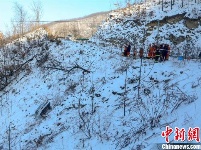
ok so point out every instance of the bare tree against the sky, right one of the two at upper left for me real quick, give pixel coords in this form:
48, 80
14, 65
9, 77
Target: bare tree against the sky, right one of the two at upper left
37, 9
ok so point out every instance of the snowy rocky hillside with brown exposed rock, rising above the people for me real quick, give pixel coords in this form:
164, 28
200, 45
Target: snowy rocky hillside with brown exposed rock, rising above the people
145, 23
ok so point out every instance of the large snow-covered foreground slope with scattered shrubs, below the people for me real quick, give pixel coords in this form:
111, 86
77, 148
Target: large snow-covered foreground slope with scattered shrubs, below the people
99, 99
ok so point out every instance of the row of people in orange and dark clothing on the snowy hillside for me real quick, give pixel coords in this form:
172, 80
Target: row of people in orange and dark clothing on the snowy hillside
158, 53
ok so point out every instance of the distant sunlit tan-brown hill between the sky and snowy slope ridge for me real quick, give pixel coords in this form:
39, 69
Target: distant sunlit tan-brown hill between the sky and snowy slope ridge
78, 28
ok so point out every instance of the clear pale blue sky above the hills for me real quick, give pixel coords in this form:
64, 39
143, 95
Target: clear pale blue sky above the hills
55, 9
